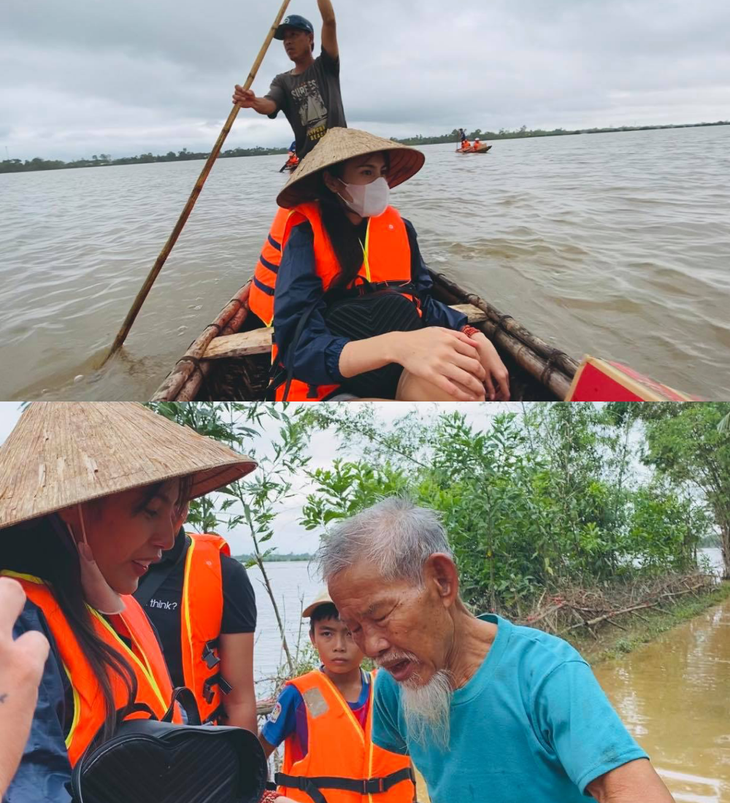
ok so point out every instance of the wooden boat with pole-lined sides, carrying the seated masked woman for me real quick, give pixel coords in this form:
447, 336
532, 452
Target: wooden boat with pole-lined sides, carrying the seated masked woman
231, 358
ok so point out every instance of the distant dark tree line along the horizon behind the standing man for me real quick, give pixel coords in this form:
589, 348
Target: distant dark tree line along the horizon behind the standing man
105, 160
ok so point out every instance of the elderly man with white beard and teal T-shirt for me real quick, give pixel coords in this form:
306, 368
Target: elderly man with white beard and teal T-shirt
487, 710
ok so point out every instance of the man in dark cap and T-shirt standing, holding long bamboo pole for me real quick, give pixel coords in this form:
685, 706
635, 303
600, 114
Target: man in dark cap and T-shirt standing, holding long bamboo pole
309, 94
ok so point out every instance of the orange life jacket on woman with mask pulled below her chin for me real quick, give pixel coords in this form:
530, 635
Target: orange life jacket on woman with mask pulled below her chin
145, 657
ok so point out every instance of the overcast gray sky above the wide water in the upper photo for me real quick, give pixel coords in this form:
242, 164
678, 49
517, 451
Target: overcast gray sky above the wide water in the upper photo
79, 77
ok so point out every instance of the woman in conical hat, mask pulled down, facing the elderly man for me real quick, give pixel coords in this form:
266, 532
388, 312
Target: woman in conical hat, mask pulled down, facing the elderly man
91, 494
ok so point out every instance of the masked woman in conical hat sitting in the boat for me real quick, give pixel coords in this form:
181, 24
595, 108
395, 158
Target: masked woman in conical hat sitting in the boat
352, 304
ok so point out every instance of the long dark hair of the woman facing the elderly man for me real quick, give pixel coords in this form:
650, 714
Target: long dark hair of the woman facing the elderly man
44, 548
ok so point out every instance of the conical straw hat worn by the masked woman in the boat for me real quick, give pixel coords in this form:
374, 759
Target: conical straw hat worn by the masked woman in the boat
339, 144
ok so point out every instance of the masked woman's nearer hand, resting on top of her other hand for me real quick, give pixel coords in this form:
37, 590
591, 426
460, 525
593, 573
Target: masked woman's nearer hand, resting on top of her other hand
450, 360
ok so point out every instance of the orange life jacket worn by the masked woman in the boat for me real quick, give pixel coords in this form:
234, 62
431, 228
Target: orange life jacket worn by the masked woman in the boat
386, 260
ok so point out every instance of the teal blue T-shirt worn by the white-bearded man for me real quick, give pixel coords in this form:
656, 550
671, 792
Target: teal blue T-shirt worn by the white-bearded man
531, 726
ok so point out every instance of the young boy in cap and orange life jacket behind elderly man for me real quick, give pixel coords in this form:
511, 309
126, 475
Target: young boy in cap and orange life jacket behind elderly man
324, 719
